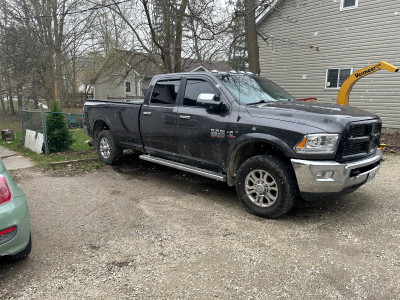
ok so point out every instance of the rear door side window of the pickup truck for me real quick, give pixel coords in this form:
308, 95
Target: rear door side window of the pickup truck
165, 92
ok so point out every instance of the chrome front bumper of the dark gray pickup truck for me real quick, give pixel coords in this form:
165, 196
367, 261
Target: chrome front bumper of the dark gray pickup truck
322, 177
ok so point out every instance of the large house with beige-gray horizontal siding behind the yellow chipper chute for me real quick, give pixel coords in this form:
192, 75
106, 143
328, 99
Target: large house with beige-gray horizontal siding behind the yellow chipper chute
311, 47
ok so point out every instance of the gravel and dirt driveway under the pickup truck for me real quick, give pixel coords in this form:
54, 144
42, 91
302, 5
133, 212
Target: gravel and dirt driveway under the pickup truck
143, 231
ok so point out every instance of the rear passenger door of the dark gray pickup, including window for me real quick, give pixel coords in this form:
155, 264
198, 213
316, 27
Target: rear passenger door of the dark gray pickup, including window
158, 119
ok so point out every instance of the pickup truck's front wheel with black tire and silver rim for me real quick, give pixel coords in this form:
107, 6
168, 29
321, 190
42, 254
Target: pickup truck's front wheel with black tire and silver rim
271, 189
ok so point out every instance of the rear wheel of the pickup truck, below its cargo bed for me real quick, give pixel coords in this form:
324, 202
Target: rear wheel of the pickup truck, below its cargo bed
107, 149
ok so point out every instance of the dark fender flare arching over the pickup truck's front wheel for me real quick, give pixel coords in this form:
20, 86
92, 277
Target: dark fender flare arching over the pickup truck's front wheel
254, 144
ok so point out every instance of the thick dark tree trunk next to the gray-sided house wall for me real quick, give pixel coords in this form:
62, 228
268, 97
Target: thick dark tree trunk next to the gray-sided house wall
251, 36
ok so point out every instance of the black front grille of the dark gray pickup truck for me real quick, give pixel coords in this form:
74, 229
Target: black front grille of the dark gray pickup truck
360, 139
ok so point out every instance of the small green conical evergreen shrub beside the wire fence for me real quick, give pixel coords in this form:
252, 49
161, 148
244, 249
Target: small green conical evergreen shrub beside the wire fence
59, 137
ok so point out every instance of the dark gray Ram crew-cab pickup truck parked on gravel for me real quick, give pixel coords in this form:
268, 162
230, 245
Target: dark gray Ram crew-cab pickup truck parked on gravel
246, 131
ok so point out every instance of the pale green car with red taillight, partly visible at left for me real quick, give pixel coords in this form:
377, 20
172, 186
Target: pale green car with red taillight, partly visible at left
15, 228
